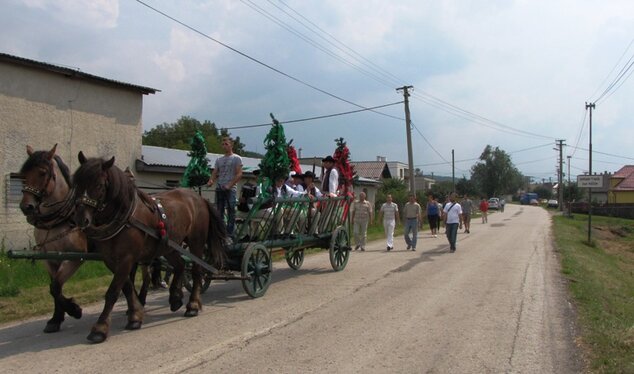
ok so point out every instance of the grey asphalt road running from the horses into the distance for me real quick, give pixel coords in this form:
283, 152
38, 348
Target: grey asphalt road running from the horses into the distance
498, 304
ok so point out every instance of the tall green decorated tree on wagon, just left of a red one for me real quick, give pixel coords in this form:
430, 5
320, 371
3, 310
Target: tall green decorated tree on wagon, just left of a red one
275, 163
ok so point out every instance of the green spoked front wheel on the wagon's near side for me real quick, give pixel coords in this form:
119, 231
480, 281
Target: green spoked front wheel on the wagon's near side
257, 267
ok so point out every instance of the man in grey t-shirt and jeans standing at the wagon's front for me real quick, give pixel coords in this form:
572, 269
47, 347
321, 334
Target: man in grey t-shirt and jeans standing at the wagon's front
227, 172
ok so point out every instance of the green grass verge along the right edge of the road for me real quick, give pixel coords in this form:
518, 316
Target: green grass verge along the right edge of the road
601, 282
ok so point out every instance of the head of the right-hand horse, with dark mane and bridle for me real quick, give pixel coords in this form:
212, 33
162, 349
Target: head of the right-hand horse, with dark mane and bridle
91, 181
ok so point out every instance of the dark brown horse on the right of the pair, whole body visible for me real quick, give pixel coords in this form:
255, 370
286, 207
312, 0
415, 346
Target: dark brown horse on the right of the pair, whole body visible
129, 228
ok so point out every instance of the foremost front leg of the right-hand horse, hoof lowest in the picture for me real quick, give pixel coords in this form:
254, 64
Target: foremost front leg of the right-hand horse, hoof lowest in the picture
99, 331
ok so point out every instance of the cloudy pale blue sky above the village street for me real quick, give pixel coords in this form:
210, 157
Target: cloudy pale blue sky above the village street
510, 74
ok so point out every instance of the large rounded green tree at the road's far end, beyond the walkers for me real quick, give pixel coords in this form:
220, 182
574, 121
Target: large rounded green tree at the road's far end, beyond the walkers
495, 174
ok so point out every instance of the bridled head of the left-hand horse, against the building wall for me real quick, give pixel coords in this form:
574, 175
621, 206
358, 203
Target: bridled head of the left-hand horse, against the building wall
40, 180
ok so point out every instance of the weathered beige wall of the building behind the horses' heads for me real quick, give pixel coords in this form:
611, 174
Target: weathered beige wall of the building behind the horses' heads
41, 108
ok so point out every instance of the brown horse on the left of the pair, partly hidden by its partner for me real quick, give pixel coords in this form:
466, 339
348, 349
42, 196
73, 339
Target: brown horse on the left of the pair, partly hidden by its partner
48, 204
